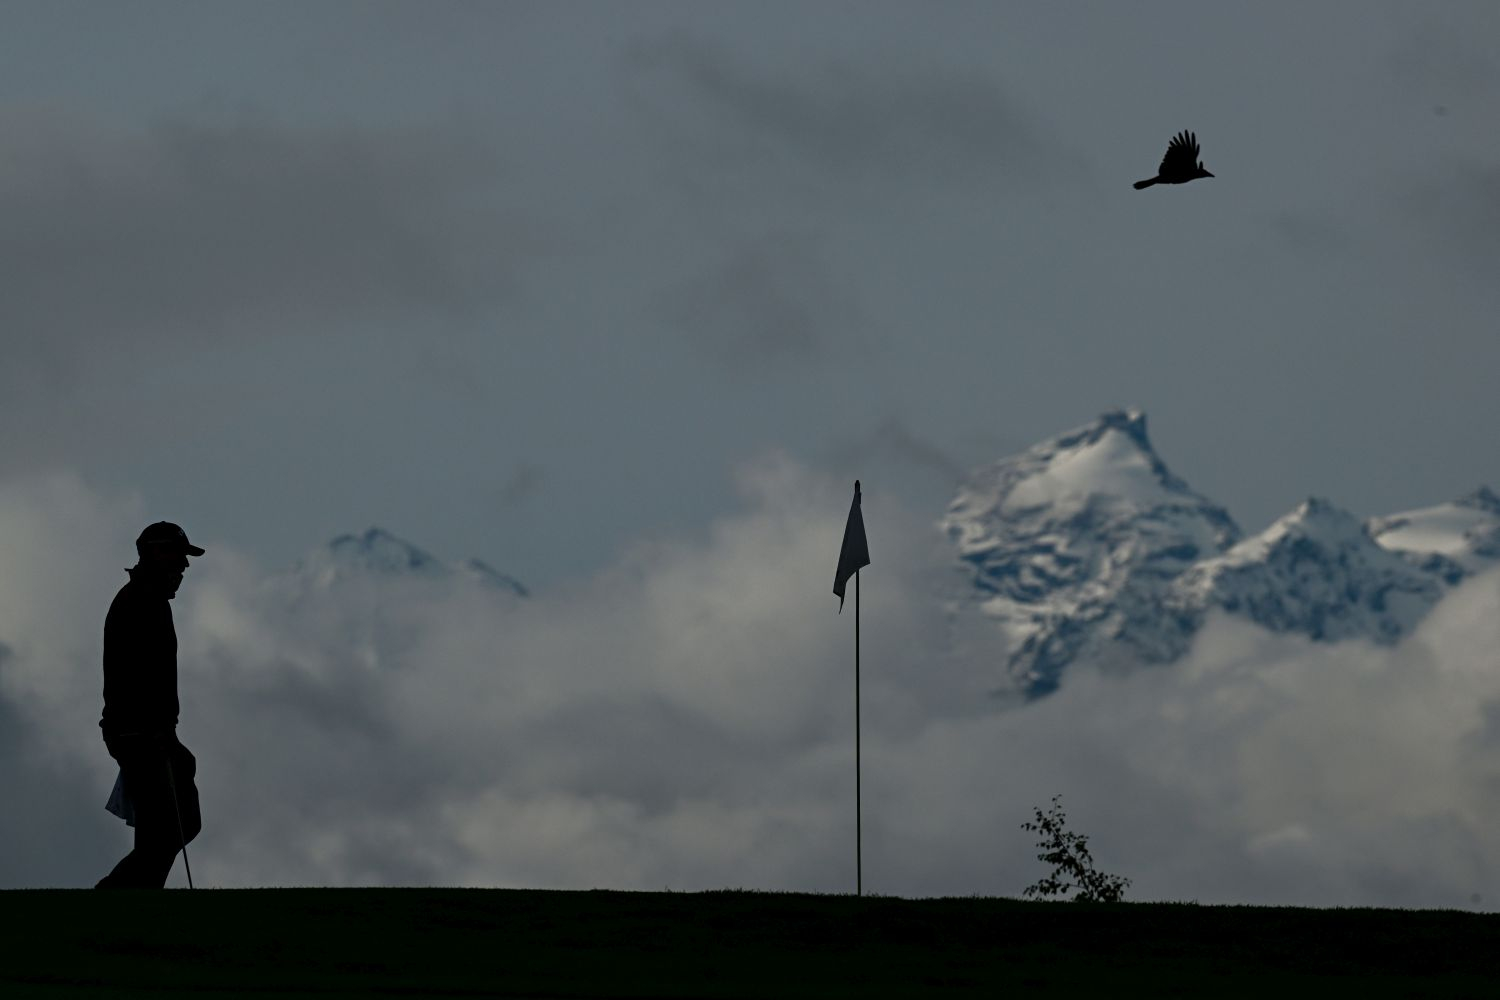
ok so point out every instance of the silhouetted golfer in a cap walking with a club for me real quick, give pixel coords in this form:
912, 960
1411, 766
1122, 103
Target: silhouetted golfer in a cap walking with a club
140, 710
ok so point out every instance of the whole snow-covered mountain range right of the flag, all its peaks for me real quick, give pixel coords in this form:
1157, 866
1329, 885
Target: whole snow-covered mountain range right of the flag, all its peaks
1088, 546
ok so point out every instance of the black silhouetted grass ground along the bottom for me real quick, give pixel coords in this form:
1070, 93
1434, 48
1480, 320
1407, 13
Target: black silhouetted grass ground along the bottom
527, 944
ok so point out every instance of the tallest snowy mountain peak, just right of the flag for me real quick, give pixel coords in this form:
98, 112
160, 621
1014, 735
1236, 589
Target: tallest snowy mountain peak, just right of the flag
1073, 545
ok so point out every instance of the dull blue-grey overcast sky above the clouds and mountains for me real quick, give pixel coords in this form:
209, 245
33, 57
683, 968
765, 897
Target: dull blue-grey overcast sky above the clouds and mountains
529, 281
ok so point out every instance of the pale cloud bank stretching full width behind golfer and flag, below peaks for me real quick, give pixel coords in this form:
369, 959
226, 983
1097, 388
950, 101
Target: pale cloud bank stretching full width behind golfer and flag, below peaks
686, 720
